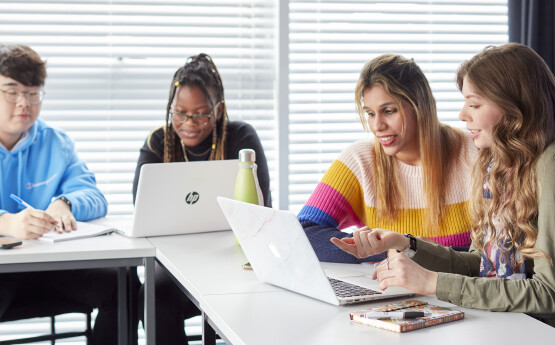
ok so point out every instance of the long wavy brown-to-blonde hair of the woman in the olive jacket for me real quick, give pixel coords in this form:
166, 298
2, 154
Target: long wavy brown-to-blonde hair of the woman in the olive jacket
518, 81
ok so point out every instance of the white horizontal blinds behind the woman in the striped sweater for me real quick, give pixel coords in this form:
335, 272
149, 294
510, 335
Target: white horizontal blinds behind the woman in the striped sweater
331, 40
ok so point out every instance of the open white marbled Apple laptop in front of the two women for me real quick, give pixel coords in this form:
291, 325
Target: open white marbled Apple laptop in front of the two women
280, 254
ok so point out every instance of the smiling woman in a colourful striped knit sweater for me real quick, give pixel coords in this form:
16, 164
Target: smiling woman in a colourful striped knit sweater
412, 177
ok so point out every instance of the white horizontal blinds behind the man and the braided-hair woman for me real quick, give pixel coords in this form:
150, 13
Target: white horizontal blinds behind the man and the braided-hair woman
110, 64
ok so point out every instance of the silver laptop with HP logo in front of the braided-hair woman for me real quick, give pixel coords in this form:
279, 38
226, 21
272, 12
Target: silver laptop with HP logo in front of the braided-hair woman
180, 198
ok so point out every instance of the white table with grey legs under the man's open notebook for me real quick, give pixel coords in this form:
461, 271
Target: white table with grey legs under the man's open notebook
96, 252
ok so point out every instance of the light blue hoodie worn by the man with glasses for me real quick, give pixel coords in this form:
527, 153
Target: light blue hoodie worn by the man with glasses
46, 166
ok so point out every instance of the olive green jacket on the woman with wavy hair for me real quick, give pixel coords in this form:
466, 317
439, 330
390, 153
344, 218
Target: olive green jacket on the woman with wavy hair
458, 279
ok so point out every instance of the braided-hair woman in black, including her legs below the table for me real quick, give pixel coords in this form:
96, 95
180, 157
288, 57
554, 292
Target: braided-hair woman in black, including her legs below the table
196, 129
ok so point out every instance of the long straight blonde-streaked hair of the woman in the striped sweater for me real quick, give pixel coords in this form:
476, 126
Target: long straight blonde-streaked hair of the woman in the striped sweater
403, 80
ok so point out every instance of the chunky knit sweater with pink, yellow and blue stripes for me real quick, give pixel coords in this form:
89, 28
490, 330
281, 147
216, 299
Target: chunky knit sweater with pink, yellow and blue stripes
345, 197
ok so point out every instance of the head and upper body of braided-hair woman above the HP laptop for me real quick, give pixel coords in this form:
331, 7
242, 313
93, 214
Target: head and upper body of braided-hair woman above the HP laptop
197, 126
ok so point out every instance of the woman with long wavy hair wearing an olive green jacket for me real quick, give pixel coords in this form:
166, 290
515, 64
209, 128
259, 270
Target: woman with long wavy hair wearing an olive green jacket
509, 111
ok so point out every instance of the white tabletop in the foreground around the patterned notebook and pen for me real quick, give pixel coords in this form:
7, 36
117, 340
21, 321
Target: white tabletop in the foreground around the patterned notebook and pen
275, 318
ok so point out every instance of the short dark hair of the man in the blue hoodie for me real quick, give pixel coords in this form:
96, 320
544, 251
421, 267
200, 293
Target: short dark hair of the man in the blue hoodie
22, 64
